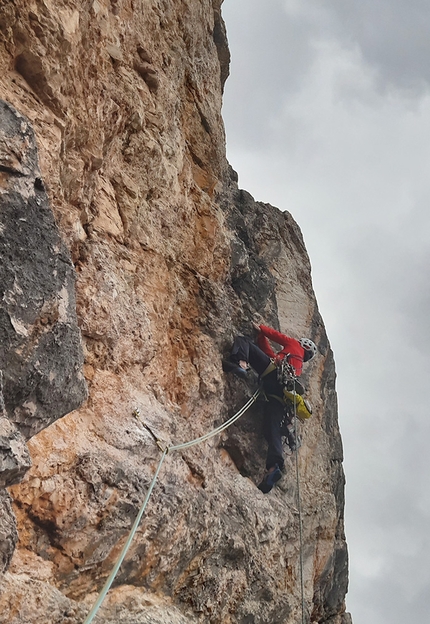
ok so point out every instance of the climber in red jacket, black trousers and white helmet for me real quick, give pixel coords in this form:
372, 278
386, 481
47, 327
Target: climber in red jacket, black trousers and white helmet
262, 358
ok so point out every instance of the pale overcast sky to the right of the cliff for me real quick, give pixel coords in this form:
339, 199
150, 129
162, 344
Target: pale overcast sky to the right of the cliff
327, 113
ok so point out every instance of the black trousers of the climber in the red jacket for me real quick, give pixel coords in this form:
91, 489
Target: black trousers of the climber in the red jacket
274, 410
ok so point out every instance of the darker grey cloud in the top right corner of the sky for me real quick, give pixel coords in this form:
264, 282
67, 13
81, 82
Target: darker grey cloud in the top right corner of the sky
393, 35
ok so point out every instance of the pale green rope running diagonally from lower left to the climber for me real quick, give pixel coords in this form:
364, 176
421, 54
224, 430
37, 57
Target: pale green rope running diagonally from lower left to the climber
133, 530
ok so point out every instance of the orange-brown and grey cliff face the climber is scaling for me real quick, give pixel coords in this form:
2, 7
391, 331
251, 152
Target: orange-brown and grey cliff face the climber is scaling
171, 261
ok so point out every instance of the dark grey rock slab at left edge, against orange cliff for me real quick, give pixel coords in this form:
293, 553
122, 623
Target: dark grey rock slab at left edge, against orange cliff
41, 355
